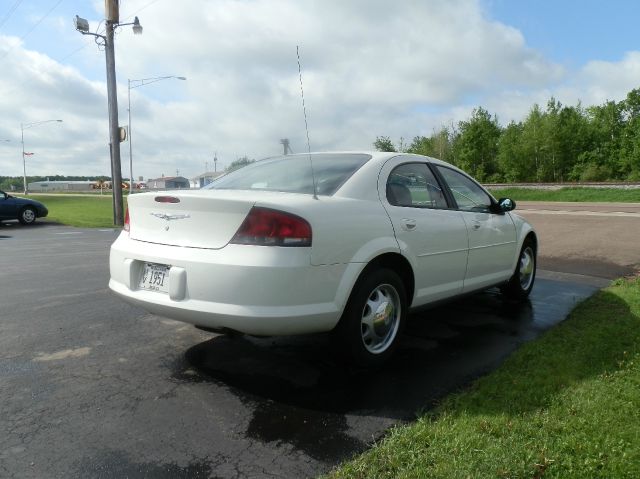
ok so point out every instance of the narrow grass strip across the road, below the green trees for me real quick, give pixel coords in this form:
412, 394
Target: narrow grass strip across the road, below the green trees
570, 194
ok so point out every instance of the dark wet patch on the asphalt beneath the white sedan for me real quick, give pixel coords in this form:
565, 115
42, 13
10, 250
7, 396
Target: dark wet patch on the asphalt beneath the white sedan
302, 394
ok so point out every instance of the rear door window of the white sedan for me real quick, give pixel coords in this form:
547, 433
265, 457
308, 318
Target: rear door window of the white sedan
414, 185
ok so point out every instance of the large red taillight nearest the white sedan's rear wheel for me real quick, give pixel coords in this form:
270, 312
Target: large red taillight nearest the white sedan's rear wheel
266, 227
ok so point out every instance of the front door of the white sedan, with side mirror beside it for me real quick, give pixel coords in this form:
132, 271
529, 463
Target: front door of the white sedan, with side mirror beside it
492, 235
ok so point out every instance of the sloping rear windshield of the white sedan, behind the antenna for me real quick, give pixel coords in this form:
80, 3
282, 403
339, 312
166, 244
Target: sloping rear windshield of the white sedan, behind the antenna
292, 174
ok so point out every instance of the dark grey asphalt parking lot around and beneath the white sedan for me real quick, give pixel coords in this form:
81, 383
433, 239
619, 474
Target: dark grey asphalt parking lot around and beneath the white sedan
93, 387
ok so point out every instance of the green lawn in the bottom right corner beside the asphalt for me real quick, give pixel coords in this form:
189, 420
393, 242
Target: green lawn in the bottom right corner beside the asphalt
566, 406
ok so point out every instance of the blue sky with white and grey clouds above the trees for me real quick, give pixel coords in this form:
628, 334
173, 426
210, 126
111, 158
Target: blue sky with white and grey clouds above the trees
369, 67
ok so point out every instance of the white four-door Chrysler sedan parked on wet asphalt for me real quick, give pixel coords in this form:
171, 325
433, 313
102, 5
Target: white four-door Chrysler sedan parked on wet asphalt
343, 242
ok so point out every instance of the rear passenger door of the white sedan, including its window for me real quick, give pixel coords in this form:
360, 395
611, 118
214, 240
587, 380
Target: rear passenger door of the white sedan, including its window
431, 234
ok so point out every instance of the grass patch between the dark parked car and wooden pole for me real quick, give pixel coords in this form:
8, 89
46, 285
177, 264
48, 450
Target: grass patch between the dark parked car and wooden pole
81, 211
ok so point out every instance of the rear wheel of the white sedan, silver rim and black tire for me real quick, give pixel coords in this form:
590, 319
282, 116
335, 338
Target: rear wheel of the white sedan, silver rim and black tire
373, 320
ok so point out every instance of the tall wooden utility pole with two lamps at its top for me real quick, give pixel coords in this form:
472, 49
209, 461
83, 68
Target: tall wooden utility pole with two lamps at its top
112, 21
